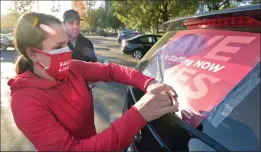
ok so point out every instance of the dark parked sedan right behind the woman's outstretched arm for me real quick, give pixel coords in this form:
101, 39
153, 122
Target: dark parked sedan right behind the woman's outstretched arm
139, 45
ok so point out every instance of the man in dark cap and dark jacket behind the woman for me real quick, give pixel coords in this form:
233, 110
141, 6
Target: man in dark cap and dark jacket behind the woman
81, 46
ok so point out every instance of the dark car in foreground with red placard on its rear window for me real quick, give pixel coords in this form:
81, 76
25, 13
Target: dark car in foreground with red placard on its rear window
213, 64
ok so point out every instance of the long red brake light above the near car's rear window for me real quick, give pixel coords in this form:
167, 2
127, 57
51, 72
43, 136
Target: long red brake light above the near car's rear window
241, 21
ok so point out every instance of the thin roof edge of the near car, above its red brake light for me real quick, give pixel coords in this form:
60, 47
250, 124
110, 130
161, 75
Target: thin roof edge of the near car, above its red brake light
179, 21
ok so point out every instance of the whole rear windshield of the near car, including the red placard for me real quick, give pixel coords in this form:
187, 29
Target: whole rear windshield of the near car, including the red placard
216, 75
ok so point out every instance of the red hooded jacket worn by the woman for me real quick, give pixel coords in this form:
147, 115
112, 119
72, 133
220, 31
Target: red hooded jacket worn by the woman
60, 116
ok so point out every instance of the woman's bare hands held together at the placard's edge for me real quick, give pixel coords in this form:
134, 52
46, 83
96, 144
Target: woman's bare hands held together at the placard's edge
157, 102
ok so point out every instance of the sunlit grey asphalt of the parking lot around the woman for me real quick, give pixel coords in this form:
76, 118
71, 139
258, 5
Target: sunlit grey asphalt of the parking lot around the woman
107, 96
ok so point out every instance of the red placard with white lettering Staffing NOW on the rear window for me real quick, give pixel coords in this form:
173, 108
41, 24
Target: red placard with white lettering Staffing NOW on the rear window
203, 66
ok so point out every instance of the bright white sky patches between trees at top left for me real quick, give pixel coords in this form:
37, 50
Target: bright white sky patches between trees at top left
45, 7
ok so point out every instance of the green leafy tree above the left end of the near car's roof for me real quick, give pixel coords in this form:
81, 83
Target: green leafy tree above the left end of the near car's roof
149, 14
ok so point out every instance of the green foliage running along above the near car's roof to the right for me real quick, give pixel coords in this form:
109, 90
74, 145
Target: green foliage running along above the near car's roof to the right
147, 15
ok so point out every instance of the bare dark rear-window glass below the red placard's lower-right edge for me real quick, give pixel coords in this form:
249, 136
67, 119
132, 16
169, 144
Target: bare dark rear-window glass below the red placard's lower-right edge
243, 122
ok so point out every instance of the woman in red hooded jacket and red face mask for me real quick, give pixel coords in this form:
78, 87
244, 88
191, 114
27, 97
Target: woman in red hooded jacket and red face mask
51, 104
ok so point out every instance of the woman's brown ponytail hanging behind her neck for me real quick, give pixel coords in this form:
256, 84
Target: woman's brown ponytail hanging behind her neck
22, 65
